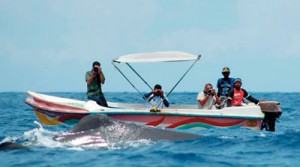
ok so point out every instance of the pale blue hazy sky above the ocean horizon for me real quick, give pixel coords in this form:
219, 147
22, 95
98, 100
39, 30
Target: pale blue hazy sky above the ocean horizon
47, 46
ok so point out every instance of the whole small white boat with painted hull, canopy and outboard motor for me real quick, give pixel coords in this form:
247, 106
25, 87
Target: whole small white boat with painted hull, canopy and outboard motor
53, 110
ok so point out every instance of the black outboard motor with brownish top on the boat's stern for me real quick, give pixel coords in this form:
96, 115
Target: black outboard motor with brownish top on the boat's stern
272, 111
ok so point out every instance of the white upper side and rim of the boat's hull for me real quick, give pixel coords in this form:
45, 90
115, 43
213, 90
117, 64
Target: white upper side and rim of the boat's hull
142, 111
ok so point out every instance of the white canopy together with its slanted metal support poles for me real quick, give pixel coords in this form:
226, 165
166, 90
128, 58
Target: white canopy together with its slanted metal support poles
167, 56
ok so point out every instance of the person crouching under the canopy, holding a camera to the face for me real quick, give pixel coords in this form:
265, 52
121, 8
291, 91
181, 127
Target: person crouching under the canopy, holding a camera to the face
156, 99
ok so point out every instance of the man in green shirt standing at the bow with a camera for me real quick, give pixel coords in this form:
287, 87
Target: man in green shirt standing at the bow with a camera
94, 79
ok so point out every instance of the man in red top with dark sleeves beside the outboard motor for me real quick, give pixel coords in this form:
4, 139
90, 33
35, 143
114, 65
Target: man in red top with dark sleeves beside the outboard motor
237, 95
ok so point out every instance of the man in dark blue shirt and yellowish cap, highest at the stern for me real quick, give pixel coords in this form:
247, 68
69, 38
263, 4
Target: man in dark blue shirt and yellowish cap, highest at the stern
224, 85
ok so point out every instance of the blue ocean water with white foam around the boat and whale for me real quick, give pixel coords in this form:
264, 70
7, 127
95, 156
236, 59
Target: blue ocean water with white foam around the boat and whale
217, 147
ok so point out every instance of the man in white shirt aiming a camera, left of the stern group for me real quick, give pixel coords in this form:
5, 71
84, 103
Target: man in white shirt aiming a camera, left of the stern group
208, 97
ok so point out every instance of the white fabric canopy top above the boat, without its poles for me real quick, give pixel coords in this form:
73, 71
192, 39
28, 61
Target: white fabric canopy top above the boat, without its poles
167, 56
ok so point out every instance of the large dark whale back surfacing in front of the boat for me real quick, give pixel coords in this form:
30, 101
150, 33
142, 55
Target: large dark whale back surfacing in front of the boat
105, 127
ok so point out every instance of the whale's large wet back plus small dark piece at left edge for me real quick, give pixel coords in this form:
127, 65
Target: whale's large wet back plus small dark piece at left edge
100, 129
